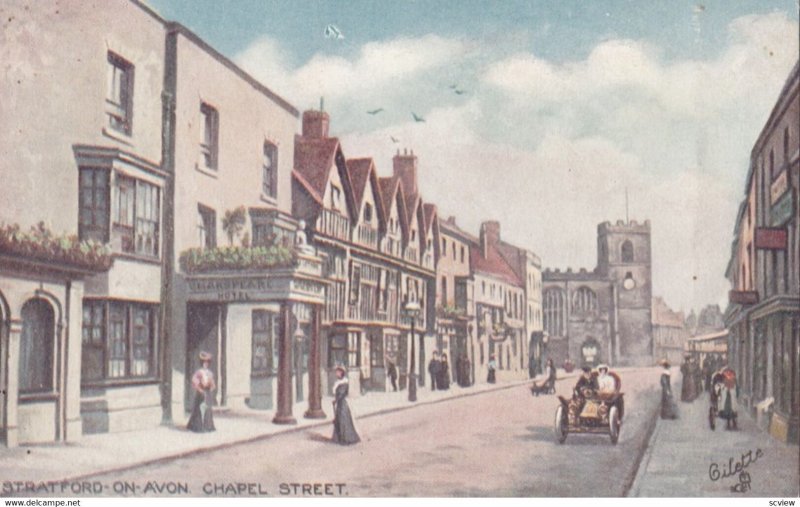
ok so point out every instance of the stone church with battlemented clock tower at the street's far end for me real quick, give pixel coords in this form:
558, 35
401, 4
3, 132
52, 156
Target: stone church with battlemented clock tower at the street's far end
603, 316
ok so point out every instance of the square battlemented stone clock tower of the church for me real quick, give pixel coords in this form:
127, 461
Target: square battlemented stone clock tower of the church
624, 258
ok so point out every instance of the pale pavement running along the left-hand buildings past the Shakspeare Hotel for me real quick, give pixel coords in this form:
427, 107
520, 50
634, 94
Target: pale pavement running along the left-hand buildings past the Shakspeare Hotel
116, 451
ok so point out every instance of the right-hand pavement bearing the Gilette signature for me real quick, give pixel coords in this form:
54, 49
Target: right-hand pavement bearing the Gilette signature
684, 453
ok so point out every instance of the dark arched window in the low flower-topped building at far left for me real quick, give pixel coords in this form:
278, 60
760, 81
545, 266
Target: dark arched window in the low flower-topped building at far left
36, 347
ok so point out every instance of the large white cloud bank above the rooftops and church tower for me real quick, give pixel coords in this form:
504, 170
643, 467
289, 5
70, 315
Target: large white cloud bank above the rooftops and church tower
548, 148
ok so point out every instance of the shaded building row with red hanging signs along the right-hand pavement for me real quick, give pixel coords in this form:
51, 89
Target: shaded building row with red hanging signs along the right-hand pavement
763, 314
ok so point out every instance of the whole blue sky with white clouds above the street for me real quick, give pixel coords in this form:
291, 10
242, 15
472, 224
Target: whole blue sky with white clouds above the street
562, 107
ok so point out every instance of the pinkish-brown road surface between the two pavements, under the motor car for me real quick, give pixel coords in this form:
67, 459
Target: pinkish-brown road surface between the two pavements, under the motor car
498, 443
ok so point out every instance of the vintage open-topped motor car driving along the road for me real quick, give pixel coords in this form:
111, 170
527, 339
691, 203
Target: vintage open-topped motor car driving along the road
601, 413
